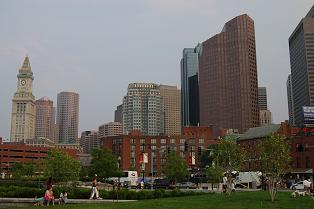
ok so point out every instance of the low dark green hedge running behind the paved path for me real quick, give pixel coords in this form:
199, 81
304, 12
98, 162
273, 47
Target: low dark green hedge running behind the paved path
83, 193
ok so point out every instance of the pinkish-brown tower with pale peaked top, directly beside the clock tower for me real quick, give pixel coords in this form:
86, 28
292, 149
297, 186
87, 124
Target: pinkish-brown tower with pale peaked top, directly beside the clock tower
45, 119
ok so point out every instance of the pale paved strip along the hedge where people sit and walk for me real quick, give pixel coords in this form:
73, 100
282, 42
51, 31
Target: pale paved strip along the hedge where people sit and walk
70, 201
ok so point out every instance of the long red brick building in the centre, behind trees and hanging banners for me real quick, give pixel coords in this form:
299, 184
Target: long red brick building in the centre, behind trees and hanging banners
189, 145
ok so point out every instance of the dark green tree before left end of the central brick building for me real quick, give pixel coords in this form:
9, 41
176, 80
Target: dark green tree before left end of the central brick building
104, 163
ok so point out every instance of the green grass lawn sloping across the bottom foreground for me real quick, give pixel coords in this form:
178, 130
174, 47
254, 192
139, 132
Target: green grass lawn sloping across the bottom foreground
238, 200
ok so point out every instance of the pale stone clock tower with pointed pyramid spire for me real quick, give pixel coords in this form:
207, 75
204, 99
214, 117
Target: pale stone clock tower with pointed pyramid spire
23, 105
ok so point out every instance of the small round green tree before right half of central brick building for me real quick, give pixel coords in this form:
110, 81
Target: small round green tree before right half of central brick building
175, 167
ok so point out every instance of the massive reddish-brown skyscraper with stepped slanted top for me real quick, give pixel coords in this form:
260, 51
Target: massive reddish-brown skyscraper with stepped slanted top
228, 77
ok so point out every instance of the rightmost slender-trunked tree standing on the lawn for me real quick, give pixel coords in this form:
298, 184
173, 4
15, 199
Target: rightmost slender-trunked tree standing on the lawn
274, 160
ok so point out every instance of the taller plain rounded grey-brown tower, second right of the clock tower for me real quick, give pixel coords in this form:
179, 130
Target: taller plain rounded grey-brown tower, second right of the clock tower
67, 117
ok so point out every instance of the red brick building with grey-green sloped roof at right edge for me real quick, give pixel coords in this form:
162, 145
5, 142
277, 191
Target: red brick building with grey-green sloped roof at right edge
301, 142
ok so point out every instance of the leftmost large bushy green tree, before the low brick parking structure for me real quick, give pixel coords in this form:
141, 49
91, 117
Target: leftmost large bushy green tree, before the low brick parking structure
61, 167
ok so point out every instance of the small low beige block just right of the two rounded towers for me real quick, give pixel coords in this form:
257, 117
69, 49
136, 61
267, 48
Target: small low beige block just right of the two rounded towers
89, 141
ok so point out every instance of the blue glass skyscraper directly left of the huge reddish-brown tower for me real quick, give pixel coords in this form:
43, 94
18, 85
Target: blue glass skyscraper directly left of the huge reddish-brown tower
189, 87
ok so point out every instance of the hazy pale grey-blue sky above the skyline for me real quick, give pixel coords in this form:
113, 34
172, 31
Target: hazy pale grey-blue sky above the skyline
97, 47
